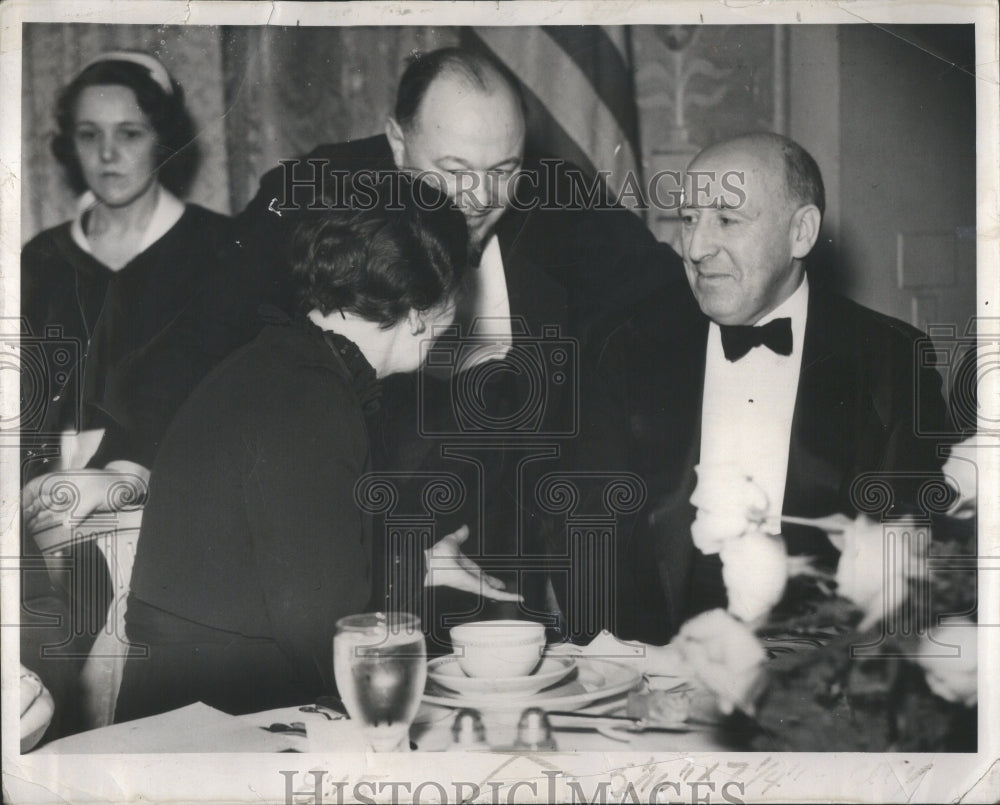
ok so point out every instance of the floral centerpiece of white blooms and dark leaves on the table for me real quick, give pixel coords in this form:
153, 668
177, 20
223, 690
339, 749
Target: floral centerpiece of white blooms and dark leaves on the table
878, 656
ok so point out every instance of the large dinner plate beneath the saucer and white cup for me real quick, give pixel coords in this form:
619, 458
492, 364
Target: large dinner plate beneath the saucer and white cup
590, 681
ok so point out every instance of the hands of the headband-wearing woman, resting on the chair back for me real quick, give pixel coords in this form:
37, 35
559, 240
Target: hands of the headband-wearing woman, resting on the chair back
57, 497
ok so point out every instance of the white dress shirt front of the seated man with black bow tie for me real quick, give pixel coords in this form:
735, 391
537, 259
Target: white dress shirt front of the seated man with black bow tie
748, 404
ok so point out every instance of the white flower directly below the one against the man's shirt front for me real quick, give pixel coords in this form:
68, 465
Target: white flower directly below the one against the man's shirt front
755, 571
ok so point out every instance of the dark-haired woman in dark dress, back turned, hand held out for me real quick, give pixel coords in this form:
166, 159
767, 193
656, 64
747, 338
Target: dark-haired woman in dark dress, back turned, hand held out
252, 542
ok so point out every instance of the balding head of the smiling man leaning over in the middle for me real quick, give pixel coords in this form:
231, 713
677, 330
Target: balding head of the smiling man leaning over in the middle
460, 122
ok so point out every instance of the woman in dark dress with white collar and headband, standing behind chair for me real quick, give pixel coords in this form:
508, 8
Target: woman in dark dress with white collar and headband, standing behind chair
97, 294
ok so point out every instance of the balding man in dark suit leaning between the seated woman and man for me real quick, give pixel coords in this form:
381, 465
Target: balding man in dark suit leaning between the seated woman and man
548, 262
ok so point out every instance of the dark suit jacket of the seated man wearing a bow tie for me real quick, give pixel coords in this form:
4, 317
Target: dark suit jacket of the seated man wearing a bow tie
854, 414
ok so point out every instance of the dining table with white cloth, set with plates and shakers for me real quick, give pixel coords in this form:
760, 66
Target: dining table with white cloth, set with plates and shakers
578, 718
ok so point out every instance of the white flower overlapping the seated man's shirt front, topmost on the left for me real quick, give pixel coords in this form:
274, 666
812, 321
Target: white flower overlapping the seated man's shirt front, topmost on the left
729, 504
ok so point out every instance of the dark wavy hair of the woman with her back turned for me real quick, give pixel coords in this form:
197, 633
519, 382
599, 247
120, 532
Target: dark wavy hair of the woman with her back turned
398, 245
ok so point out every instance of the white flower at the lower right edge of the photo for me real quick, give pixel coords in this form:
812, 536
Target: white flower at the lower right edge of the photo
948, 657
